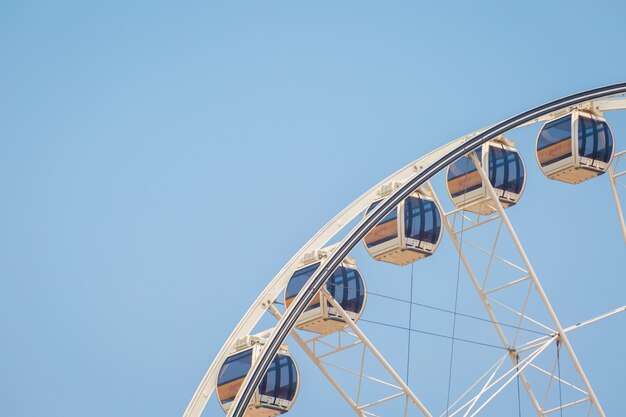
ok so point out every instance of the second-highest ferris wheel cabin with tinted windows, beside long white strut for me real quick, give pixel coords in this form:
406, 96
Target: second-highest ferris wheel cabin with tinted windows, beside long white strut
505, 170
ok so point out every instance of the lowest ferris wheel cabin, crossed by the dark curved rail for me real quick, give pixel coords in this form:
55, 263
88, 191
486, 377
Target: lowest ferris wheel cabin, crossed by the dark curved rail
278, 389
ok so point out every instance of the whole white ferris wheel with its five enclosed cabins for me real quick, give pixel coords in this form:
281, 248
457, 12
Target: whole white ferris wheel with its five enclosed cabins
319, 296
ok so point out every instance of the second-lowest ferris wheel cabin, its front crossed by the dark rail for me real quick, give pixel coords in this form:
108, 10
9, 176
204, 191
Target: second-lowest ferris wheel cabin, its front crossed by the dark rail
346, 286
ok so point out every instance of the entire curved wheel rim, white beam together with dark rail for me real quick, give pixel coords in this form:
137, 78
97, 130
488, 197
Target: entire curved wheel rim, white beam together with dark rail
414, 175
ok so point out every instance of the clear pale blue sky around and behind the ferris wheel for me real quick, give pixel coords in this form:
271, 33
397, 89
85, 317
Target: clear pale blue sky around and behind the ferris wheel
160, 162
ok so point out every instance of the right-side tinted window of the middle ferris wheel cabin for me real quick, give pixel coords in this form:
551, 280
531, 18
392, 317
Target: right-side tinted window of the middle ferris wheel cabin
422, 219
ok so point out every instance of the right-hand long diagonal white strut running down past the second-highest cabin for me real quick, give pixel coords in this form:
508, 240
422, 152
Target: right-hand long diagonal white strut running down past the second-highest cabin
533, 276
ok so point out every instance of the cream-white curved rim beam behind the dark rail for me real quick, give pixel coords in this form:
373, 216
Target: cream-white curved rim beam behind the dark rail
269, 294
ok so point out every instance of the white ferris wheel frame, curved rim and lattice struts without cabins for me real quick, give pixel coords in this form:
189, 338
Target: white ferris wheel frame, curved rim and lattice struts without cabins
412, 176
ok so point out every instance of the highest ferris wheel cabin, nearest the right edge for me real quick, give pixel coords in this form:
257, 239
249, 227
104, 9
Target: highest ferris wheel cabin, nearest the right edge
575, 147
